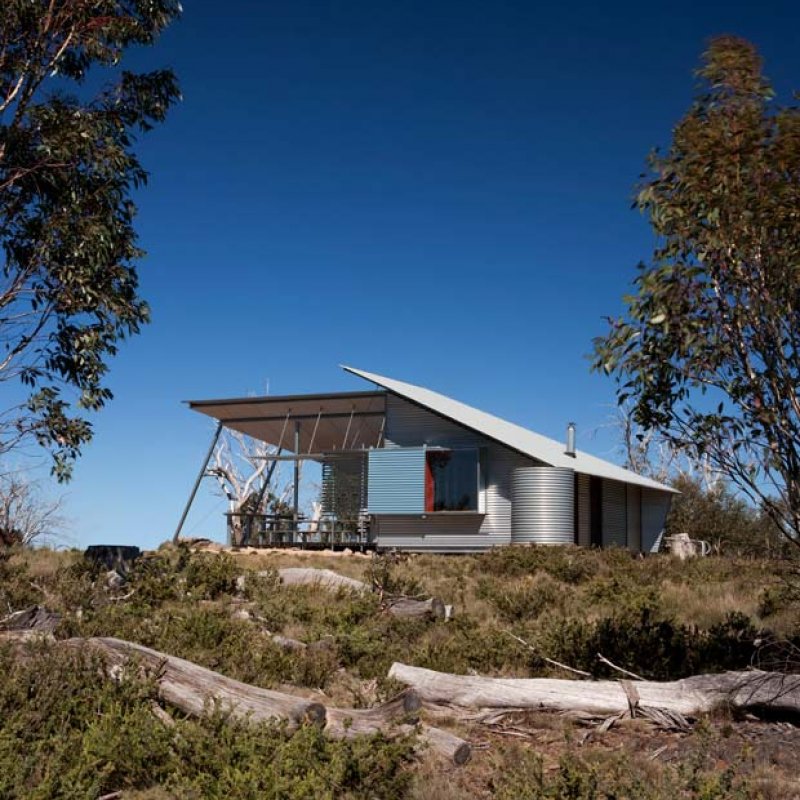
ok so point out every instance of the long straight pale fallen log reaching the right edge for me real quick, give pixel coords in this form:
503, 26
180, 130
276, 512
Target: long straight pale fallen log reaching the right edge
751, 691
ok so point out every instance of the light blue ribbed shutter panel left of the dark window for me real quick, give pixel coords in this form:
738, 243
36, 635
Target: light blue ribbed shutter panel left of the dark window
396, 481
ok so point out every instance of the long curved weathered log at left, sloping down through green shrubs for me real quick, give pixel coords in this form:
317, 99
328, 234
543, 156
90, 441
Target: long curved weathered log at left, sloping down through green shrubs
190, 687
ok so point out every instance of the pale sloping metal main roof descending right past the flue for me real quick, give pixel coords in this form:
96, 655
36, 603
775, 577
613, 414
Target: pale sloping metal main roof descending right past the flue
513, 436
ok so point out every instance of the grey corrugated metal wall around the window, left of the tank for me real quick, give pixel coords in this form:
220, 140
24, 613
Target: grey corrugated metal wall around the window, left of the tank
408, 425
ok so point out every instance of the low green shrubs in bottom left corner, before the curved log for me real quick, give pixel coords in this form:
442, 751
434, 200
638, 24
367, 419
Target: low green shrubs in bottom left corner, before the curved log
68, 732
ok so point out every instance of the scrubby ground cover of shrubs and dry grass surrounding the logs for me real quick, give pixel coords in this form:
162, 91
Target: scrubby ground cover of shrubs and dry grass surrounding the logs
66, 731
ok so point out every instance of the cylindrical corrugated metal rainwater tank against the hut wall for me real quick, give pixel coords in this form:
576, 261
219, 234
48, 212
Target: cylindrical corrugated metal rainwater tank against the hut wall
543, 505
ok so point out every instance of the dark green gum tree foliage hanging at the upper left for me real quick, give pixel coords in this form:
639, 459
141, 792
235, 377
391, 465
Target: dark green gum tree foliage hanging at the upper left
68, 283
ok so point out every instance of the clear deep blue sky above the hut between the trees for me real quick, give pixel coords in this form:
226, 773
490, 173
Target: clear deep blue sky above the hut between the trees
435, 191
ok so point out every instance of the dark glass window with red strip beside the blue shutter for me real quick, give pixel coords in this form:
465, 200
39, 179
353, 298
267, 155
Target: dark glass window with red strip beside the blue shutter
451, 480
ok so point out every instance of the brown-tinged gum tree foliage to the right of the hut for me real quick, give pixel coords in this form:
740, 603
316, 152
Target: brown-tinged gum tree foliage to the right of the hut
708, 351
